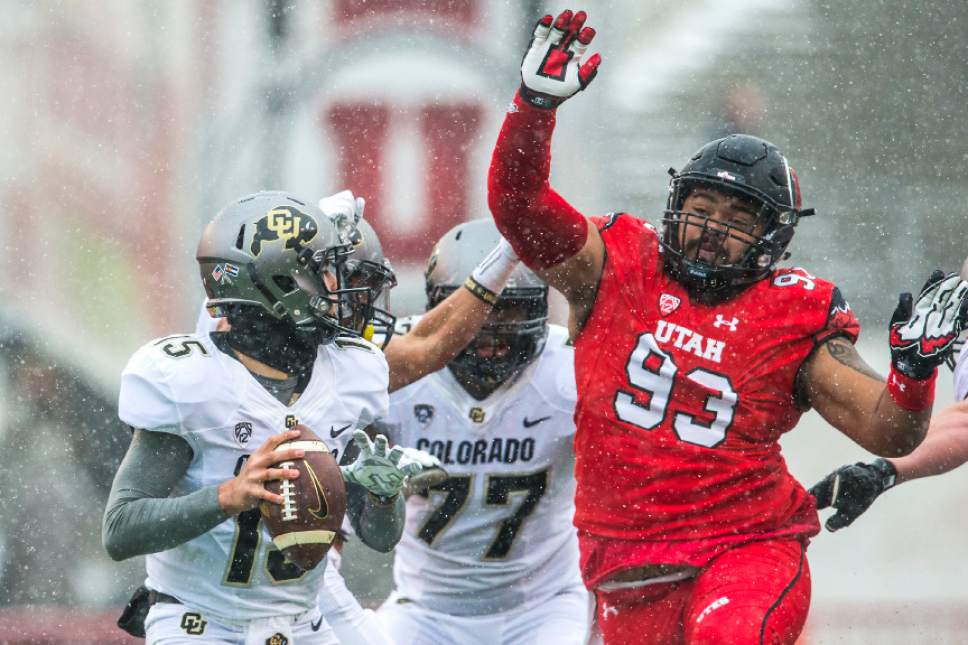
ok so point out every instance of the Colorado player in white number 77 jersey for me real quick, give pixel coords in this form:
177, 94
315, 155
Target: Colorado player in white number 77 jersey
490, 555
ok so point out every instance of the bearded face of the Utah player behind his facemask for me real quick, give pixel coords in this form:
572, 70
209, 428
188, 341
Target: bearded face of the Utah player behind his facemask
716, 228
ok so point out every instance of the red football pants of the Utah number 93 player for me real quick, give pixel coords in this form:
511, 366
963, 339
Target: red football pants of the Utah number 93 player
758, 593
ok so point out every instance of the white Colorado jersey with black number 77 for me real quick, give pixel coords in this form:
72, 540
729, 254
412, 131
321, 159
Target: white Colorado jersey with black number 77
499, 531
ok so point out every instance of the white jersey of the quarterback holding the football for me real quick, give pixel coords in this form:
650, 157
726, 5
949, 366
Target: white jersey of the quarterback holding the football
185, 385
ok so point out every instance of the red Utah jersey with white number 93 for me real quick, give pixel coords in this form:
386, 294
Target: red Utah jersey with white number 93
680, 406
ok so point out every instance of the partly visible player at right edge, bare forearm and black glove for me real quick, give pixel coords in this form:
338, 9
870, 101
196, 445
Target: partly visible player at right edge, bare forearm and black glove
851, 489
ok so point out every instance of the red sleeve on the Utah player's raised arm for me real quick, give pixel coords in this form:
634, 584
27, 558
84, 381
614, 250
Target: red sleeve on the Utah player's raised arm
542, 227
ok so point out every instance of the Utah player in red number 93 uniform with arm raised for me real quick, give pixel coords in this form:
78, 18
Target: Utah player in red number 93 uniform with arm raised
694, 353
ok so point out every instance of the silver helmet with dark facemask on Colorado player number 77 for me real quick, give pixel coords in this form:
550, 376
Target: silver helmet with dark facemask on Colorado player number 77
501, 349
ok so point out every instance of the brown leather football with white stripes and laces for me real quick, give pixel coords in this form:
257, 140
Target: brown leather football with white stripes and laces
305, 525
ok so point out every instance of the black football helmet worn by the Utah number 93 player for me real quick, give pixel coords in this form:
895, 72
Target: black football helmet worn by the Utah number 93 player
754, 170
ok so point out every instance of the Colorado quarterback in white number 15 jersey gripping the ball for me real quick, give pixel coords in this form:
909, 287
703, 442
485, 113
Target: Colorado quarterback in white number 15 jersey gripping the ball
209, 411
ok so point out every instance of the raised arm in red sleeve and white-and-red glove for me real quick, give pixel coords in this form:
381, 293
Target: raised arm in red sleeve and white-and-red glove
547, 233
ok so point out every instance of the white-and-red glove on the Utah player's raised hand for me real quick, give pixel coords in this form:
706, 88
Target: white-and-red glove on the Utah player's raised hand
552, 70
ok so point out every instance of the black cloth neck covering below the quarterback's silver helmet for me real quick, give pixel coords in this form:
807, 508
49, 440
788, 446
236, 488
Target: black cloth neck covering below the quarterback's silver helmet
277, 343
